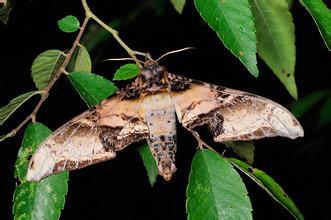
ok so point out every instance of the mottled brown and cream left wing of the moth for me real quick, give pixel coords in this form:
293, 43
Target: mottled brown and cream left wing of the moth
91, 137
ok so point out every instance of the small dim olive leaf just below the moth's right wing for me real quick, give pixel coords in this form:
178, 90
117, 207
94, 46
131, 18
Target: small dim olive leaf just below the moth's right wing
245, 149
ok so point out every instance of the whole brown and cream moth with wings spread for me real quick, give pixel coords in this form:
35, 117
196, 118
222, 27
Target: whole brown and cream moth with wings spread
147, 109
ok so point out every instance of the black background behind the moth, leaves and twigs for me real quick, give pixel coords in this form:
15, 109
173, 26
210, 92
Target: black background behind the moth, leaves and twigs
119, 189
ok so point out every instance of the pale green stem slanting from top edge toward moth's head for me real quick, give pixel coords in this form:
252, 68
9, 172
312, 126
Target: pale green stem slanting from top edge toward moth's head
114, 32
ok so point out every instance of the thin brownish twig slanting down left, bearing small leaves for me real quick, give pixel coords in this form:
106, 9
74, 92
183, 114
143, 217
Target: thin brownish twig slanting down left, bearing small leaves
58, 73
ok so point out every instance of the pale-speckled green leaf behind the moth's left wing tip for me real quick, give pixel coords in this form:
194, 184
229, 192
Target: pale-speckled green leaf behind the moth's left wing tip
37, 200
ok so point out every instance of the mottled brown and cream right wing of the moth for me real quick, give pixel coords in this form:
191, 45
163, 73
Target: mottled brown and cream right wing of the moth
232, 115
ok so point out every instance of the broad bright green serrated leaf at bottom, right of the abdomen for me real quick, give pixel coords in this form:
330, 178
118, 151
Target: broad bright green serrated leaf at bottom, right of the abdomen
215, 189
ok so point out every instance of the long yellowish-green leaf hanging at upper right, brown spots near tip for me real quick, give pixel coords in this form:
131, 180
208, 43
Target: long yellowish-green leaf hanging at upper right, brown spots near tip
276, 40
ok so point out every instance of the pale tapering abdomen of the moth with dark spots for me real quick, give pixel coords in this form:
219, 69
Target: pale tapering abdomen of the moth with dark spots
160, 117
